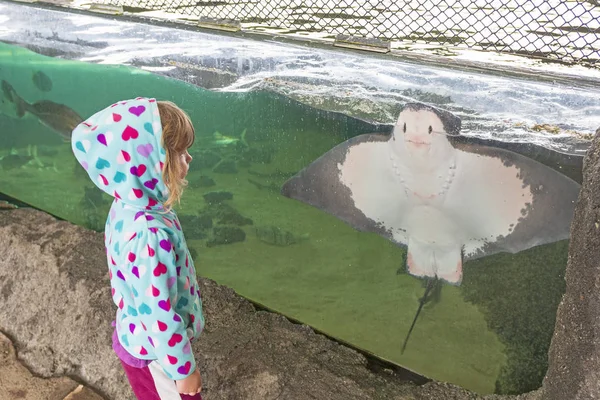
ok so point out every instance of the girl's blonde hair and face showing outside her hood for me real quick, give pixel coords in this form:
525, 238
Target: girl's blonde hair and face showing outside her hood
178, 136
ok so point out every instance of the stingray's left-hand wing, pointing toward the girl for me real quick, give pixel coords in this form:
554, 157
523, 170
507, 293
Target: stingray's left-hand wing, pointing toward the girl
352, 168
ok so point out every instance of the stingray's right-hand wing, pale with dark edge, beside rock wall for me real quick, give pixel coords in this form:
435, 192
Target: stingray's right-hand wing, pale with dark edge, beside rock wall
509, 202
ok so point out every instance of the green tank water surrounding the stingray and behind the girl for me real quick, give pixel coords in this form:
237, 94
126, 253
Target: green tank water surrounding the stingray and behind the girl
489, 335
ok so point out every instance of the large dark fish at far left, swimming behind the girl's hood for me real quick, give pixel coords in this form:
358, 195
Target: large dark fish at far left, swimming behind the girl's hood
58, 117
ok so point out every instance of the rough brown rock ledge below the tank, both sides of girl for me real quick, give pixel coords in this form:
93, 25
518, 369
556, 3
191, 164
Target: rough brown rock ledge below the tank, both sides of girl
243, 353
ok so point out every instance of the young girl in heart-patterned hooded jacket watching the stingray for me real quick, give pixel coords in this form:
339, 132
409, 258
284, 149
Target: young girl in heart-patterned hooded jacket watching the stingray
136, 151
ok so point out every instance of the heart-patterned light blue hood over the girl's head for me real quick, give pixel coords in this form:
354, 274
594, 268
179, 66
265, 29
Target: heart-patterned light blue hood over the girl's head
120, 148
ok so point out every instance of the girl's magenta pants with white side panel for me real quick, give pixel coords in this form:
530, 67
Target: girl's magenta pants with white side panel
151, 383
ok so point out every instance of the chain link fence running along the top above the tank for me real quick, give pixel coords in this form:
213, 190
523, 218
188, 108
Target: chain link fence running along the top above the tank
566, 30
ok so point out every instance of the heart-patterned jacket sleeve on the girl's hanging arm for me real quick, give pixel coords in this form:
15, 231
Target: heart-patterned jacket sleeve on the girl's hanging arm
157, 294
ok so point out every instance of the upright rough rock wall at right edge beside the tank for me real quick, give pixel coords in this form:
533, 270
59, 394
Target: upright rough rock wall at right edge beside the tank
574, 356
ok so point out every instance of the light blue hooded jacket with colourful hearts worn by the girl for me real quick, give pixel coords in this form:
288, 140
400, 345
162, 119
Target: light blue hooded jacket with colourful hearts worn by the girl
153, 280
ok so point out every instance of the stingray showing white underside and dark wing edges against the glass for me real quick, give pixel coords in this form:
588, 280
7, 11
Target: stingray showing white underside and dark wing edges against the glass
443, 199
